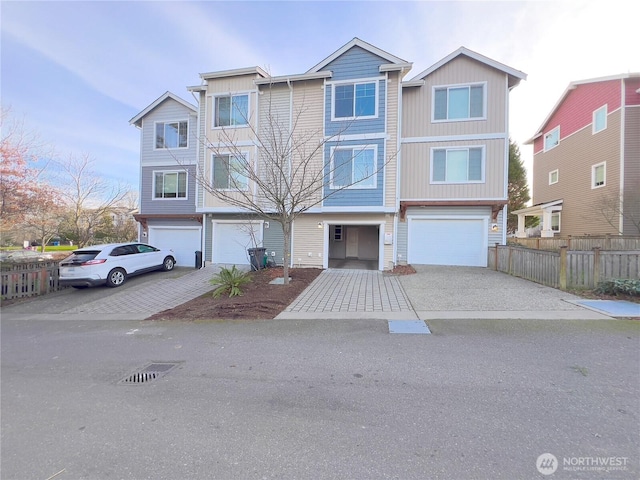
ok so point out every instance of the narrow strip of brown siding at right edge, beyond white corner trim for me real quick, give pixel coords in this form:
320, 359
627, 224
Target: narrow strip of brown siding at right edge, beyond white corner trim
632, 171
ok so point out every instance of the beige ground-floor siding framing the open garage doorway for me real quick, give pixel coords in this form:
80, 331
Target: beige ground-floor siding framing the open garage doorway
308, 238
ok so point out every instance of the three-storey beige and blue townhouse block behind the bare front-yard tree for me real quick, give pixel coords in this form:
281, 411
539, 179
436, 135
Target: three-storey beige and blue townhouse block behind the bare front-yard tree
437, 146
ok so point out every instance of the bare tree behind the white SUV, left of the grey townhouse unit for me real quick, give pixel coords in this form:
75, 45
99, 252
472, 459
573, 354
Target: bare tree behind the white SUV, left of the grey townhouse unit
88, 197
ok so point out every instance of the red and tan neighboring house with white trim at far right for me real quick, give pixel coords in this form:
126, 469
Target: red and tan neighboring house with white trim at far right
586, 163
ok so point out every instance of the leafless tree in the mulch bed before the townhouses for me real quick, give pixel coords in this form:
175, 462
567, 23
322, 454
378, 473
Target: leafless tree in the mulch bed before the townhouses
291, 173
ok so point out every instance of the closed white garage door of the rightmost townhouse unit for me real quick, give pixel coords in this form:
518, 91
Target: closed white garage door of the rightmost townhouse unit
448, 241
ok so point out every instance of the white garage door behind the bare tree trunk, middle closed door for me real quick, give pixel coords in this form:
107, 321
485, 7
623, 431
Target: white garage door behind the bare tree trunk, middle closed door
231, 241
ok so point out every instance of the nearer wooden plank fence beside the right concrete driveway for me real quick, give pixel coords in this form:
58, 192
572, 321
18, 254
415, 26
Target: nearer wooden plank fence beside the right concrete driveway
565, 268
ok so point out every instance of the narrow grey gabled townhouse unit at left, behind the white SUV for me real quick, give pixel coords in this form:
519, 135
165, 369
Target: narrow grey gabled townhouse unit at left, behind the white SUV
168, 153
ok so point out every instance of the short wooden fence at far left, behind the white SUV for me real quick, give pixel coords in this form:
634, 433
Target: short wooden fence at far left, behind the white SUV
28, 279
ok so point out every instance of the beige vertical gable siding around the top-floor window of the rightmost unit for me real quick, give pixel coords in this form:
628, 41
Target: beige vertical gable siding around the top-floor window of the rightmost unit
417, 101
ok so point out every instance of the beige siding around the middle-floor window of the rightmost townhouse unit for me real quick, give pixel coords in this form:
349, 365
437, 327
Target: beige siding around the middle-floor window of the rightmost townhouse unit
416, 172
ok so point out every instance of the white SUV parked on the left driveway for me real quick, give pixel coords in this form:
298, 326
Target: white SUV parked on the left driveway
112, 263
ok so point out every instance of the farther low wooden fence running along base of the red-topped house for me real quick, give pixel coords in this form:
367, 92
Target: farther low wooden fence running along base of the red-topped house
604, 242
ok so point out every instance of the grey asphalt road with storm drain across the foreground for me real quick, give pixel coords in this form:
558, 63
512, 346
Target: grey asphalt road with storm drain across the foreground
477, 399
